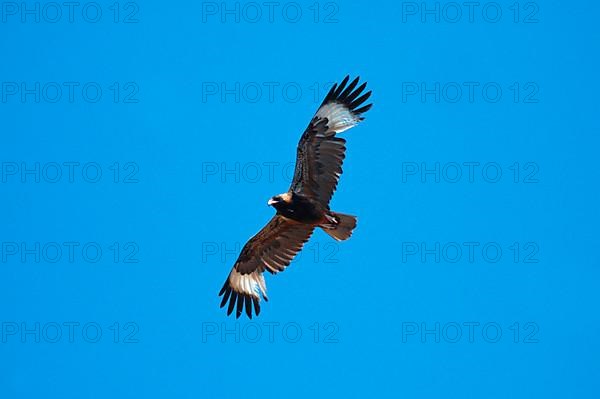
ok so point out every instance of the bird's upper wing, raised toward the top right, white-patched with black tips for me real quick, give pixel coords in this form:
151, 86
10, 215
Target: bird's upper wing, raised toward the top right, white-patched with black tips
320, 152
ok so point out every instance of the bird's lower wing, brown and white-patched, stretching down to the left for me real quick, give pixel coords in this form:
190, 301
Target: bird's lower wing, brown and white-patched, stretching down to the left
271, 249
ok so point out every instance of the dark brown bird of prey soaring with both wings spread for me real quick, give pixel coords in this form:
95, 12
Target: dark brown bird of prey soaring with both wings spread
305, 206
